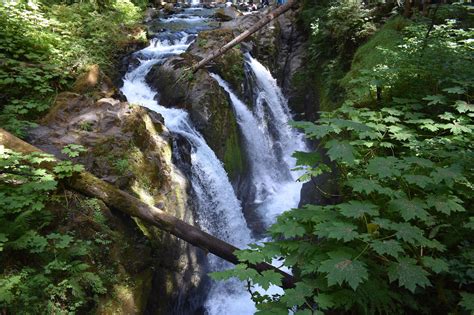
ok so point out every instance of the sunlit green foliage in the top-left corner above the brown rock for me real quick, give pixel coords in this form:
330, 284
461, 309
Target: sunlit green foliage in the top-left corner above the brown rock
44, 46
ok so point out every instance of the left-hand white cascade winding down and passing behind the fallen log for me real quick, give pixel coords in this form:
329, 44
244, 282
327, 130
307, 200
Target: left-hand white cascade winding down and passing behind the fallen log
219, 210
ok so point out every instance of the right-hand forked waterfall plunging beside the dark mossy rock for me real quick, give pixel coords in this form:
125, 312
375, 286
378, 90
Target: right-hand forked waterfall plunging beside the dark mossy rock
270, 143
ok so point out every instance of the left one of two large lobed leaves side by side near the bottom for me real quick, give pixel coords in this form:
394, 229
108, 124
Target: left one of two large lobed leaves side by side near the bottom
340, 268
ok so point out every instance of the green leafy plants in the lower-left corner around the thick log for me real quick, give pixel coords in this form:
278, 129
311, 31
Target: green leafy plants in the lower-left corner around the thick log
43, 271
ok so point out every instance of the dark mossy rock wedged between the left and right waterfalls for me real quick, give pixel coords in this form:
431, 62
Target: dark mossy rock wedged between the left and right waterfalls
208, 105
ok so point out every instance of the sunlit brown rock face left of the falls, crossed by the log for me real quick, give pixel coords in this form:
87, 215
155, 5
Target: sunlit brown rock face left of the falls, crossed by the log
129, 147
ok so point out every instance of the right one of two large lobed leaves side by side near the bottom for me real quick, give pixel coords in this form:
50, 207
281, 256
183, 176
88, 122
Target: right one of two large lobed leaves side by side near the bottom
408, 274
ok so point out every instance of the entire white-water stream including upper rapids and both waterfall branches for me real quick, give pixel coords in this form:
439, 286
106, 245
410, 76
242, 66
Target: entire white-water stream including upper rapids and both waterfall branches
269, 187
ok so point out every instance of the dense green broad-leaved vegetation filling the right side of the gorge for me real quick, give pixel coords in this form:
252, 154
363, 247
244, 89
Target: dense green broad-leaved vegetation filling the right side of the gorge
399, 139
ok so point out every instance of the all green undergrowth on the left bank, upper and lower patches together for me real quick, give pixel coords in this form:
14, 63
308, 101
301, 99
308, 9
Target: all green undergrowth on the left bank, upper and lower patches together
54, 254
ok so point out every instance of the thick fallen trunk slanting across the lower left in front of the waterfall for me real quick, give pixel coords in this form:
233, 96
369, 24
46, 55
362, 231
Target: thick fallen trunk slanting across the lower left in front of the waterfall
89, 185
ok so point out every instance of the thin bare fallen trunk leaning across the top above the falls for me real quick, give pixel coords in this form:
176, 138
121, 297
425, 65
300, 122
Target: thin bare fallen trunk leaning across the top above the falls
257, 26
